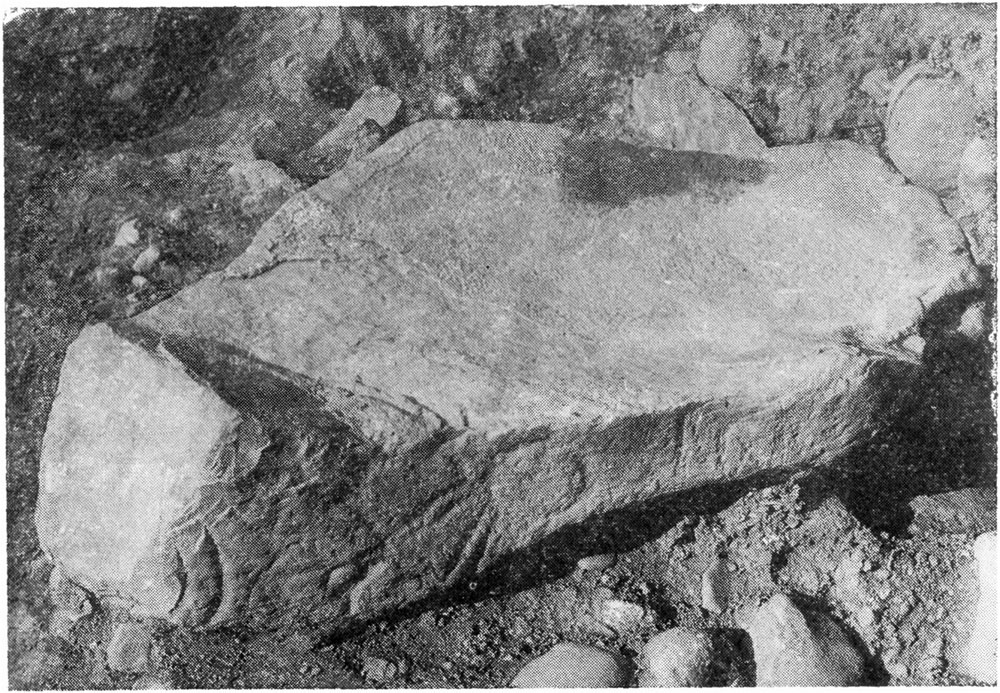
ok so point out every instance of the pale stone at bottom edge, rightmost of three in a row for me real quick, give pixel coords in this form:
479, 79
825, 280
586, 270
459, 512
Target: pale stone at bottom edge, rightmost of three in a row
791, 649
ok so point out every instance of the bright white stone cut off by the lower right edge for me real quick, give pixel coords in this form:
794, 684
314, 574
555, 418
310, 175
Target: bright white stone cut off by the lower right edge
980, 654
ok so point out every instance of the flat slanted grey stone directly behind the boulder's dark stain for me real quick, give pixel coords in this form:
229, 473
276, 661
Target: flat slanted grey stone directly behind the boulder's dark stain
679, 112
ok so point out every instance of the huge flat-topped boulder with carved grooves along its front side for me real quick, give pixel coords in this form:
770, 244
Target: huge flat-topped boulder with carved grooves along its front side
482, 339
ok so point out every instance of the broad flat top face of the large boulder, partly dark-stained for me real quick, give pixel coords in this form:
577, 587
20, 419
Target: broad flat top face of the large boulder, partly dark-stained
571, 308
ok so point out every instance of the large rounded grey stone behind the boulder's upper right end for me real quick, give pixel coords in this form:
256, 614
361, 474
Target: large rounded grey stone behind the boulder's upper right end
930, 123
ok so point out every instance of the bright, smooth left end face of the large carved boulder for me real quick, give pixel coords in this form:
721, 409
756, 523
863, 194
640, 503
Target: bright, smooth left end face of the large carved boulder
126, 451
